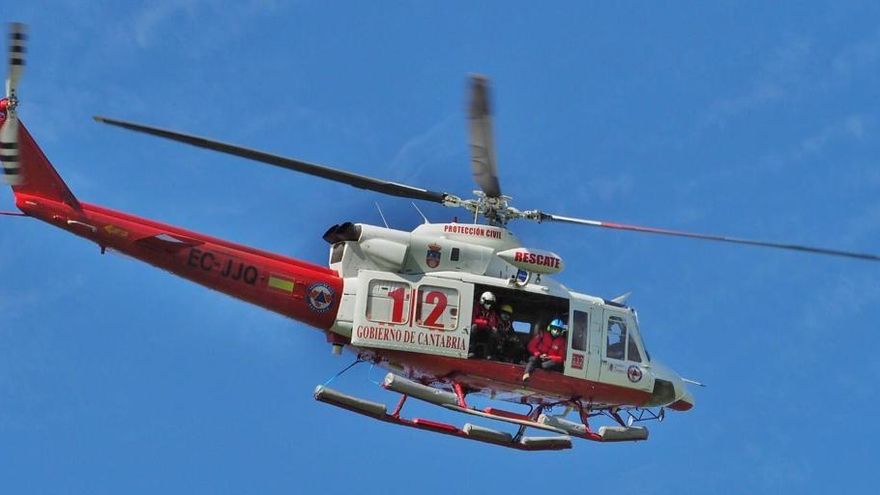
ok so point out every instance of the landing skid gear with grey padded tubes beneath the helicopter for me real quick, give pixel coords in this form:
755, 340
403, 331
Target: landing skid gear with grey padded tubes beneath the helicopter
564, 429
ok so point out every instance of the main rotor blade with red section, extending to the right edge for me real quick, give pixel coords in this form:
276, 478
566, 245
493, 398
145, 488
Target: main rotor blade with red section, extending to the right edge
708, 237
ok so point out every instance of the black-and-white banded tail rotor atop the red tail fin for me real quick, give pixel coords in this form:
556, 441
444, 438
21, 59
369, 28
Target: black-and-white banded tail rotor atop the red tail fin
9, 131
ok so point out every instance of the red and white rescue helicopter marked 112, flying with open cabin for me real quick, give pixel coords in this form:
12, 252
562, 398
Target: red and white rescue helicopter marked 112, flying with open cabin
406, 300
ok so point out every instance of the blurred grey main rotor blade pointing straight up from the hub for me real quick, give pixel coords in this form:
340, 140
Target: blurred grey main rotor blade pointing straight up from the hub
482, 146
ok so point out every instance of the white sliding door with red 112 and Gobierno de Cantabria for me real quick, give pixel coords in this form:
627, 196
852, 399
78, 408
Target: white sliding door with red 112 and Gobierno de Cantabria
421, 314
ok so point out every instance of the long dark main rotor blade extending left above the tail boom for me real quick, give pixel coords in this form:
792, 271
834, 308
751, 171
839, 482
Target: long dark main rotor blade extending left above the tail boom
359, 181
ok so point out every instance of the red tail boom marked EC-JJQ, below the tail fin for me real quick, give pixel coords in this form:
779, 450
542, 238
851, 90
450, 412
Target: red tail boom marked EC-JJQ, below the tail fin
300, 290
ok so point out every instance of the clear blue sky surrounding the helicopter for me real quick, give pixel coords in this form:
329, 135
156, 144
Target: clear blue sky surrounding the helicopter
753, 119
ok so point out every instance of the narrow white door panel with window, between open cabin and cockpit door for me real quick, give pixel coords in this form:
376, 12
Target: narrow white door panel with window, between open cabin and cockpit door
584, 340
